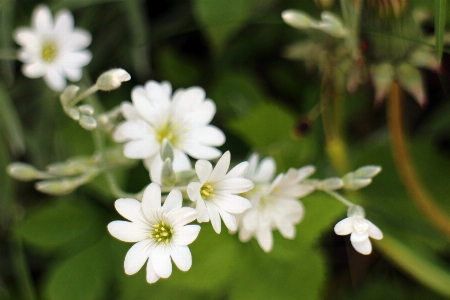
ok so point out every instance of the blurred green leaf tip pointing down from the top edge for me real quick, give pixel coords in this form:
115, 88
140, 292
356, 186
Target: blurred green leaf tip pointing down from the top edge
221, 19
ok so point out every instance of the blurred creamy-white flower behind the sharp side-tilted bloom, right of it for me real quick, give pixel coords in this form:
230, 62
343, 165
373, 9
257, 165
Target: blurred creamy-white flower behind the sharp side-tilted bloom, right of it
274, 205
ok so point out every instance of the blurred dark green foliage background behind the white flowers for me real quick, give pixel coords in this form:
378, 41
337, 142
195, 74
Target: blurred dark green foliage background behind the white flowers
59, 248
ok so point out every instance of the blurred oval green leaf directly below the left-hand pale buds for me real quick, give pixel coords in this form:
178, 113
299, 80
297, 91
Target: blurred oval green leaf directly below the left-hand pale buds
58, 225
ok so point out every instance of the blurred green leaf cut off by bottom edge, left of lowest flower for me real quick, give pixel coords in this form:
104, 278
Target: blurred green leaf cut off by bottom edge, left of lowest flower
83, 276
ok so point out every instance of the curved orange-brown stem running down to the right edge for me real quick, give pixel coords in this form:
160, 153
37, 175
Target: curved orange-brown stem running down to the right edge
420, 196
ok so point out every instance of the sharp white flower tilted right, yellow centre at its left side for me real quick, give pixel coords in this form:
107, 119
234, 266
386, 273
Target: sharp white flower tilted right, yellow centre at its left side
215, 194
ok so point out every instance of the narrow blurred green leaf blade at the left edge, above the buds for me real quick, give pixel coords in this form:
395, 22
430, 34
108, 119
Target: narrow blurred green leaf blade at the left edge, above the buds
10, 122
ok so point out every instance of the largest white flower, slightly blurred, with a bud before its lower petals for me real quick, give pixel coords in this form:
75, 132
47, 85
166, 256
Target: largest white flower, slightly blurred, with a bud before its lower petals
183, 119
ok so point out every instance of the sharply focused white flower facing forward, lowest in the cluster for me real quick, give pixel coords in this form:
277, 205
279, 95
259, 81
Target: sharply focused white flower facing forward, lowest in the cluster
160, 233
